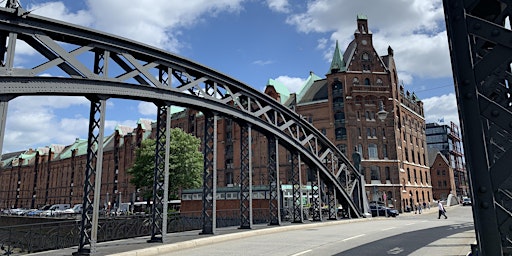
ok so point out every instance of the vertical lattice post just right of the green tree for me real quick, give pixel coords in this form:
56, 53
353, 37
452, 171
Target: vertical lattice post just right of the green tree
209, 212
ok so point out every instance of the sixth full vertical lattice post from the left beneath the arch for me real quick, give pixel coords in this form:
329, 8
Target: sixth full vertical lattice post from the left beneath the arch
297, 189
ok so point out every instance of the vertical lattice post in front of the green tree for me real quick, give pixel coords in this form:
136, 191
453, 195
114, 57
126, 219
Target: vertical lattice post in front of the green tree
161, 175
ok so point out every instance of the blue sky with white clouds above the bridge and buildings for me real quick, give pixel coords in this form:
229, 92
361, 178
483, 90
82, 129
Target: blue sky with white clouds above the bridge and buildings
250, 40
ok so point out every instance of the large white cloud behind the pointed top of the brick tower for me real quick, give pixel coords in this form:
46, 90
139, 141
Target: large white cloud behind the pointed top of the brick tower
414, 29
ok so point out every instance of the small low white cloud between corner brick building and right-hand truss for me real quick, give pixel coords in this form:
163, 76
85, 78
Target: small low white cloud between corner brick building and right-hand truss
441, 107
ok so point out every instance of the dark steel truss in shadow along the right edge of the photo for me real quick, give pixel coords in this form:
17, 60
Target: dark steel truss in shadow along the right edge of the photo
479, 39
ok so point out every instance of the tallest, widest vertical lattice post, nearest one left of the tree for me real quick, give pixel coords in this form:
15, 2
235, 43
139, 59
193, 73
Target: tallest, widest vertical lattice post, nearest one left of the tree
89, 224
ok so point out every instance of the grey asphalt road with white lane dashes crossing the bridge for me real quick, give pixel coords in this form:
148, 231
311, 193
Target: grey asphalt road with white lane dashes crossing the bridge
408, 234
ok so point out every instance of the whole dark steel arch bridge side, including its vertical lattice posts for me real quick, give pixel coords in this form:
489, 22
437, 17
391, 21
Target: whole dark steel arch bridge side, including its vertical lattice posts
86, 58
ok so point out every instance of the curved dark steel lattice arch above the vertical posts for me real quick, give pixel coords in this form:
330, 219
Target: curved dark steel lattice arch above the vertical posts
102, 66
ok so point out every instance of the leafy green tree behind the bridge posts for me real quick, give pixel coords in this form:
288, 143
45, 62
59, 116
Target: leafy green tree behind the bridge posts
185, 164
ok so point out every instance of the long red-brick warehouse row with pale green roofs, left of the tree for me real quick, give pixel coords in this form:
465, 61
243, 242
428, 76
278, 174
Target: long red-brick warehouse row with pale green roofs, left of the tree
56, 174
